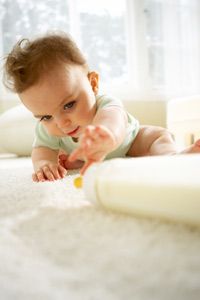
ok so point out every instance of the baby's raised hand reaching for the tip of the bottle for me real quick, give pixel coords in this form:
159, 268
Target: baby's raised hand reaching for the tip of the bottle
95, 143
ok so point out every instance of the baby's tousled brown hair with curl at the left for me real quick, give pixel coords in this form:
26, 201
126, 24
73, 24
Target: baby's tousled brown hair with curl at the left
30, 60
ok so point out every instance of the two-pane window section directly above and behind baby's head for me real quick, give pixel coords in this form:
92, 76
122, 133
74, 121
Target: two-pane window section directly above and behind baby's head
97, 26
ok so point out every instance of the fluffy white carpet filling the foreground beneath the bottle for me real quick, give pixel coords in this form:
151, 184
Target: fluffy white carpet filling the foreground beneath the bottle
54, 245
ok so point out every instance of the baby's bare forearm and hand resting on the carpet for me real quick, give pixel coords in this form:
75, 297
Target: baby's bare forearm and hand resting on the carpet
46, 165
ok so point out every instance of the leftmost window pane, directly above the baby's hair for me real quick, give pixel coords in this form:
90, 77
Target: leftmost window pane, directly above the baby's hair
21, 18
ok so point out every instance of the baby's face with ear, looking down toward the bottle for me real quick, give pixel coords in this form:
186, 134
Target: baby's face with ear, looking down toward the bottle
63, 100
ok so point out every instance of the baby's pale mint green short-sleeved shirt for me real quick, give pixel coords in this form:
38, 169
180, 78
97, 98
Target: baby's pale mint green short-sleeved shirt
43, 138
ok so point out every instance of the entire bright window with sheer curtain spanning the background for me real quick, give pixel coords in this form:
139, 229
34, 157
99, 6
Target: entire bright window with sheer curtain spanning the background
152, 46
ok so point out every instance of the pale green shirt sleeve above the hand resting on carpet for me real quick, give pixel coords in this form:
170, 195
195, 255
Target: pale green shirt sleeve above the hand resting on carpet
44, 139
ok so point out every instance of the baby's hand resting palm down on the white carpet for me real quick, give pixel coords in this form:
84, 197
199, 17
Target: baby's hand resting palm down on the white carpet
48, 171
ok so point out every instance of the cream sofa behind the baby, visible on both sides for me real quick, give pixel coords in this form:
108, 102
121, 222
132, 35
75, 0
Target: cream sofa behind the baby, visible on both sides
181, 116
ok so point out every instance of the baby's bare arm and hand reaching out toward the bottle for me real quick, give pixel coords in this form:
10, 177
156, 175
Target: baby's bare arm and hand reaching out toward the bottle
102, 137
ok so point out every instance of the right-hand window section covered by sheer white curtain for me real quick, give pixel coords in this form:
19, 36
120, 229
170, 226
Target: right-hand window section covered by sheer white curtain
173, 42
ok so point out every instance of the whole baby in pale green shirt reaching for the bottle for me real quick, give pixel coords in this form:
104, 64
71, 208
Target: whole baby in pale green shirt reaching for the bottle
76, 126
